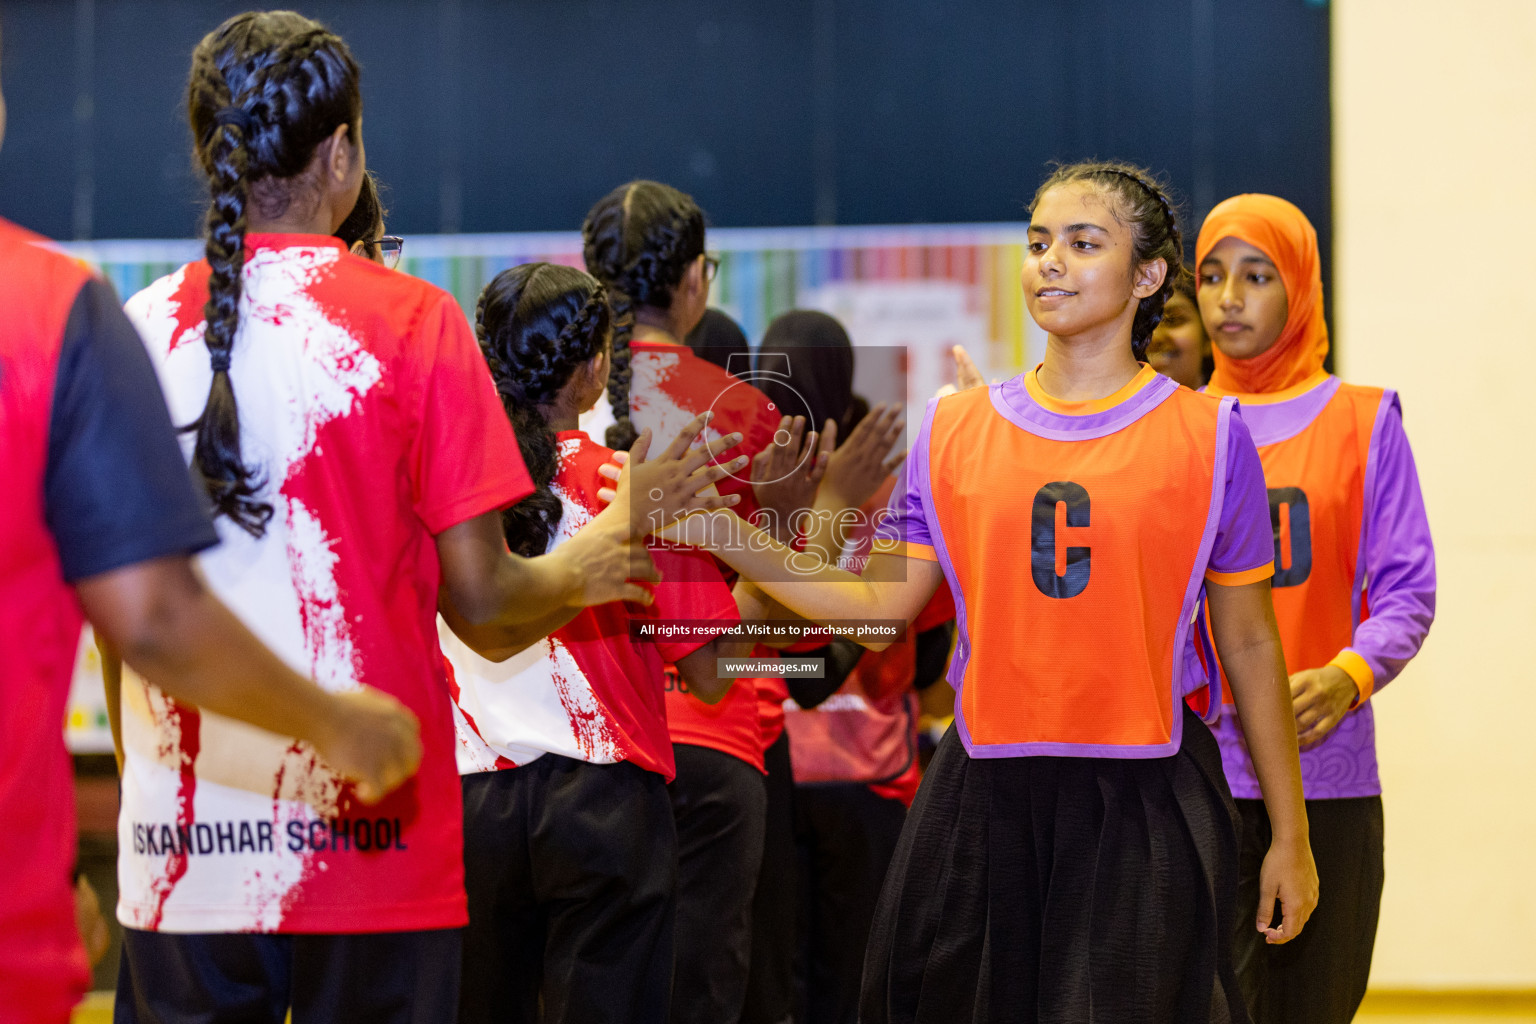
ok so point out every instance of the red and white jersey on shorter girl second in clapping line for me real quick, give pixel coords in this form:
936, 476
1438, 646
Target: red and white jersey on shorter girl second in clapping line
589, 692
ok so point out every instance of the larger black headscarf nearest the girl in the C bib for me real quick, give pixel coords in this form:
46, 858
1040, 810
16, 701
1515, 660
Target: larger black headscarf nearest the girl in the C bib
821, 383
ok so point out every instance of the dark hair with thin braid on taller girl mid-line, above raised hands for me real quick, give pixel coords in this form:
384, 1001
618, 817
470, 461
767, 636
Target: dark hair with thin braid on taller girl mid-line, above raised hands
638, 240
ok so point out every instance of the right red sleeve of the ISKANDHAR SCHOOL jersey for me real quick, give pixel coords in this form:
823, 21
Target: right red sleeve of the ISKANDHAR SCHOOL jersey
465, 457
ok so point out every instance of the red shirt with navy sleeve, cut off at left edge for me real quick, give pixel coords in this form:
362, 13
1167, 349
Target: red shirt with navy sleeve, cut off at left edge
93, 481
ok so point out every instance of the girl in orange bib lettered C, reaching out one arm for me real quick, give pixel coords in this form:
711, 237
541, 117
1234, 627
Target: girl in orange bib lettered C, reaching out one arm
1071, 854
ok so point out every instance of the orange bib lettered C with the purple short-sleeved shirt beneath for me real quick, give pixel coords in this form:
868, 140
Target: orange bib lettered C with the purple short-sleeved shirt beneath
1078, 540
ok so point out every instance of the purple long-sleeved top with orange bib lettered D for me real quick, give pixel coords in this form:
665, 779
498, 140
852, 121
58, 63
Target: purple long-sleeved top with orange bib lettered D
1323, 472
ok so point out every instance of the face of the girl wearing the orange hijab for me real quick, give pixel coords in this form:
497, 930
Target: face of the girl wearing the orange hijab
1242, 300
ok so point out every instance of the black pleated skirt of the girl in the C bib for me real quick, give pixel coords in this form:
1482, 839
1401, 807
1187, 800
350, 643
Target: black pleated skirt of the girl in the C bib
1062, 891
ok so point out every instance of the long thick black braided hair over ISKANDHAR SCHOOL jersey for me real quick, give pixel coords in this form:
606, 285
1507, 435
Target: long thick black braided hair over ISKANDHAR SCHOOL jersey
266, 88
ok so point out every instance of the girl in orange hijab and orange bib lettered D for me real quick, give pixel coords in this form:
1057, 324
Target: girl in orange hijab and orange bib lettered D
1354, 587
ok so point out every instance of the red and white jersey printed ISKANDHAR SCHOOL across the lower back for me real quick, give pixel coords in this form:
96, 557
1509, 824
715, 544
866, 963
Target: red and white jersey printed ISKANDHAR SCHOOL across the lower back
368, 411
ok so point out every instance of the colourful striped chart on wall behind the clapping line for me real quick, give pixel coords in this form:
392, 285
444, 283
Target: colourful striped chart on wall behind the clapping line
922, 286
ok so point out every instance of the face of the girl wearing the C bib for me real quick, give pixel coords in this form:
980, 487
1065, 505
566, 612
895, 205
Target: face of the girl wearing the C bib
1081, 273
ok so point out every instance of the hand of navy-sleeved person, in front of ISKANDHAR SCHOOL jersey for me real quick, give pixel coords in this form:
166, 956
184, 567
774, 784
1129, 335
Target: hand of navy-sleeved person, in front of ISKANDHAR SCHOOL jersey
374, 741
